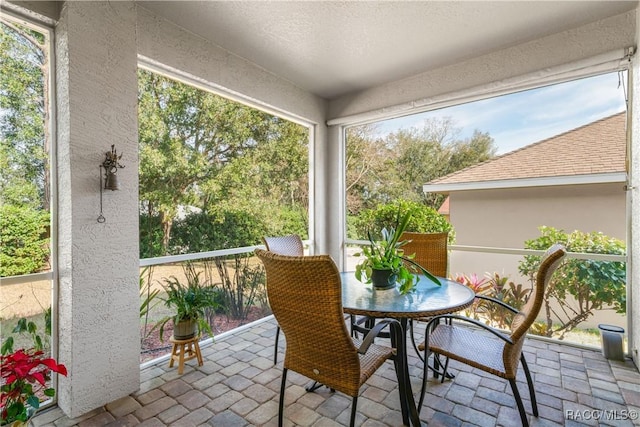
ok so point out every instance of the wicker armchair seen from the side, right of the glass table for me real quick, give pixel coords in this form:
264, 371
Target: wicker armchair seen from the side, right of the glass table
496, 356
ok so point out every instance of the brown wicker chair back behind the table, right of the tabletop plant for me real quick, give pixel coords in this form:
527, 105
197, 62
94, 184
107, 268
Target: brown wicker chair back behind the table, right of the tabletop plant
430, 251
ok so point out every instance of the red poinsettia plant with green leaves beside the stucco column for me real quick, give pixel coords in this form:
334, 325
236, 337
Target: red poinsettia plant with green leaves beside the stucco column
23, 377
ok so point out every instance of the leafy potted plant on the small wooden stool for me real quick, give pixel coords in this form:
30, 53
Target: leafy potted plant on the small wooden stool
189, 299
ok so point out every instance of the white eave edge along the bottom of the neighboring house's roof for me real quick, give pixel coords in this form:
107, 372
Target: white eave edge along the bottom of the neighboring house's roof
601, 178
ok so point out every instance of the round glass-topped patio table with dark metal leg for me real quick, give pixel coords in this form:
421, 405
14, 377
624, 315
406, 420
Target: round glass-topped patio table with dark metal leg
428, 300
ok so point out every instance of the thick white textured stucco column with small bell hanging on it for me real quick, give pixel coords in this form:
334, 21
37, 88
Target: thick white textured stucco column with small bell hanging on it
99, 302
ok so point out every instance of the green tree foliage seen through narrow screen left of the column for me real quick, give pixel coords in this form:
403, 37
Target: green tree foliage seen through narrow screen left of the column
24, 149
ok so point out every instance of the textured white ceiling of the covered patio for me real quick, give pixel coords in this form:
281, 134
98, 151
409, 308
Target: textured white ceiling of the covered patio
331, 48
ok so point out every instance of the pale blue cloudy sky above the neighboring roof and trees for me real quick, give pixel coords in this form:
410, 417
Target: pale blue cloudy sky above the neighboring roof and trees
522, 118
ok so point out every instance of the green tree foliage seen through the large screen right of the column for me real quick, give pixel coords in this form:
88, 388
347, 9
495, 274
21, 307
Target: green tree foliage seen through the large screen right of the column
202, 152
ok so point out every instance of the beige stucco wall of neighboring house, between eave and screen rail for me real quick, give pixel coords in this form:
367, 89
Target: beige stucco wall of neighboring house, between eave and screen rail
506, 218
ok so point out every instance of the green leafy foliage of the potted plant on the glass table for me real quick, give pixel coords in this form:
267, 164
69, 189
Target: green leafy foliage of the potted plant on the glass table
387, 254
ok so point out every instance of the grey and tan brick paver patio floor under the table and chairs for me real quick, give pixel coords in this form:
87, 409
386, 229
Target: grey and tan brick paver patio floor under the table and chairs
239, 386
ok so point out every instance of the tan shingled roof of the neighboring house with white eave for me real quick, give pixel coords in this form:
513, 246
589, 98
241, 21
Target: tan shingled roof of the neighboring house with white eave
594, 152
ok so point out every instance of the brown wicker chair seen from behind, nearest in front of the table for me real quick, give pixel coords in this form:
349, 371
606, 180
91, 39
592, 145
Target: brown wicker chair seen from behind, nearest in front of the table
323, 351
